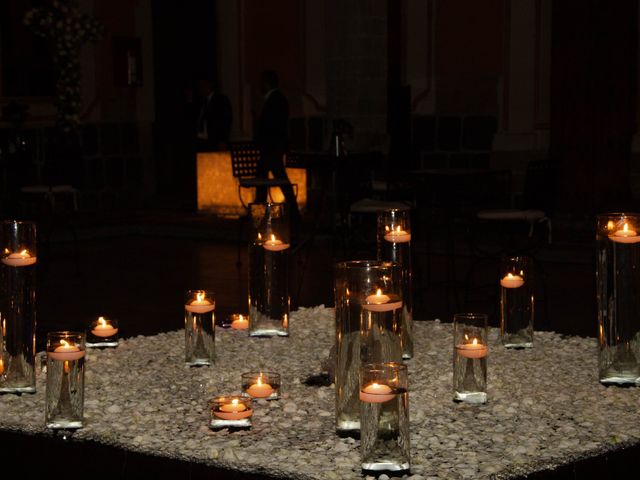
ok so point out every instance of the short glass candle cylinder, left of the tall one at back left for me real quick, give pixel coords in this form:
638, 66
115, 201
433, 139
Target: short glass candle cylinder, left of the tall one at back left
199, 327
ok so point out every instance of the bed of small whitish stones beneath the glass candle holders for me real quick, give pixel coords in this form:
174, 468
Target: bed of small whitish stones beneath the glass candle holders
545, 407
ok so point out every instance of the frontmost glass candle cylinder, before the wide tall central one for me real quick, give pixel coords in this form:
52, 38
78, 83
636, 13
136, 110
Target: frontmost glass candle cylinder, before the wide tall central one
384, 418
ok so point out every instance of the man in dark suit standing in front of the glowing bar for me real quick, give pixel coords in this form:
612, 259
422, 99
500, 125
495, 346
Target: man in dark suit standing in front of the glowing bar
272, 137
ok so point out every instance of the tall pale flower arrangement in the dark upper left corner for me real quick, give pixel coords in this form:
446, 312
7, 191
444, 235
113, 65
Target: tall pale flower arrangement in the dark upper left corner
68, 29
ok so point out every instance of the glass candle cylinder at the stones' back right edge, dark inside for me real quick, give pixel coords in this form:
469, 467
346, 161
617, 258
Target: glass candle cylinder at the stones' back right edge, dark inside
516, 302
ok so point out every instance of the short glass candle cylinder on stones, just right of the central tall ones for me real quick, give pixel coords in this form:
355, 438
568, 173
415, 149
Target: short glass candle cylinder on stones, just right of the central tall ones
470, 349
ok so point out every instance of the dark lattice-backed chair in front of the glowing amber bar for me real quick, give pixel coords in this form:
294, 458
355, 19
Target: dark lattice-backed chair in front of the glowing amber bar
245, 157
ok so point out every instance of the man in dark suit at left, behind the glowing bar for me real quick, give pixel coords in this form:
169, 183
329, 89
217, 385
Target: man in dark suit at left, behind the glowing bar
213, 122
